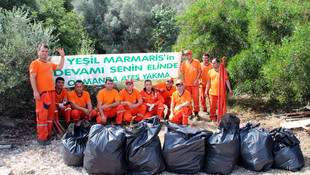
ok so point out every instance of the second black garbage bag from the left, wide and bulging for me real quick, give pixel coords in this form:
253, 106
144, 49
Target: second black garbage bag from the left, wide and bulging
105, 150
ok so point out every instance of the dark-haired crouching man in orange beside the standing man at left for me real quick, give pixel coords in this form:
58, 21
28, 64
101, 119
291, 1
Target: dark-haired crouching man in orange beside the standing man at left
61, 100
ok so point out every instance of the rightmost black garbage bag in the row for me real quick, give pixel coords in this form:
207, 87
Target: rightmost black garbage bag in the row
286, 150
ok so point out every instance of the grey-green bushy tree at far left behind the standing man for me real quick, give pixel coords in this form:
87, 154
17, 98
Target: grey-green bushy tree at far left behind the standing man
19, 39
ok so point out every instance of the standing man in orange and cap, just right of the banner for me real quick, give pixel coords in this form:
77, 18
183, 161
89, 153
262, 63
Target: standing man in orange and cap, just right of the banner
190, 74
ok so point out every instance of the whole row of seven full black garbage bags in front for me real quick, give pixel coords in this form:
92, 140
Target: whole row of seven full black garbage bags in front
116, 150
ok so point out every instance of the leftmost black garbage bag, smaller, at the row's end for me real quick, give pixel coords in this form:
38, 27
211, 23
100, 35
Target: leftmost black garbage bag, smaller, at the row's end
74, 143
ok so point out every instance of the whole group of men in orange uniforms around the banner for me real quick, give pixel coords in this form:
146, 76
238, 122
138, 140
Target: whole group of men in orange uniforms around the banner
128, 105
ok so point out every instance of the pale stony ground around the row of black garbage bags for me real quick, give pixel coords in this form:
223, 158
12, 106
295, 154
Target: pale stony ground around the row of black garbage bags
30, 158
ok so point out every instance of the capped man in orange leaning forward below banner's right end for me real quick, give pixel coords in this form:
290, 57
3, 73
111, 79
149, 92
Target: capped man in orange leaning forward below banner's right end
166, 89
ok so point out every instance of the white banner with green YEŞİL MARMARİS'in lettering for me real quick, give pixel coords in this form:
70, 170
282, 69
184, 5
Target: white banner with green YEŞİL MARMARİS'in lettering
95, 69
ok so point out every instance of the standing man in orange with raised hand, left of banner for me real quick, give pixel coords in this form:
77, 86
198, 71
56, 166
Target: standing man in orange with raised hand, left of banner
42, 83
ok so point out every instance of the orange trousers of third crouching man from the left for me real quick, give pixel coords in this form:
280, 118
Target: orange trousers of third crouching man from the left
117, 111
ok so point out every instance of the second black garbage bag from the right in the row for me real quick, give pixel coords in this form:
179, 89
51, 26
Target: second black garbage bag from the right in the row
255, 148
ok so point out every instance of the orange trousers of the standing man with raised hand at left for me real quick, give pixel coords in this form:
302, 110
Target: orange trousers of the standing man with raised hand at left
45, 108
